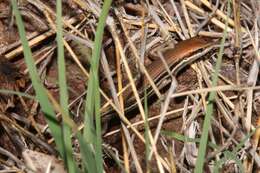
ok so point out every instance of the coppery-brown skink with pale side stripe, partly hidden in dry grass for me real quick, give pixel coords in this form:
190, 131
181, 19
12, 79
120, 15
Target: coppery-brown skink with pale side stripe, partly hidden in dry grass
158, 72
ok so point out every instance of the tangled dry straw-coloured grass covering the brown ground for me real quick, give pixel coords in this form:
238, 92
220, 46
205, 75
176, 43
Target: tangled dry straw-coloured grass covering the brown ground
165, 136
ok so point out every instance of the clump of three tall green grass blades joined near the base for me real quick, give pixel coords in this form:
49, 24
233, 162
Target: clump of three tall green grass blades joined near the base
90, 140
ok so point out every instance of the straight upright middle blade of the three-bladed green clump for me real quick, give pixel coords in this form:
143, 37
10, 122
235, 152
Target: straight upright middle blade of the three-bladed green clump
68, 155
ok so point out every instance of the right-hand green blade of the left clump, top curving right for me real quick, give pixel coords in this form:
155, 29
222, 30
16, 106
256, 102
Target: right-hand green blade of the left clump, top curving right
93, 97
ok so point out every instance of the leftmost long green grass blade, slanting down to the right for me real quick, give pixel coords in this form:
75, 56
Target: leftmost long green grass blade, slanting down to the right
40, 91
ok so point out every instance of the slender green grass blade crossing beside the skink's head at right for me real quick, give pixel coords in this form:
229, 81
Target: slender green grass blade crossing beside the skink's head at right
209, 109
